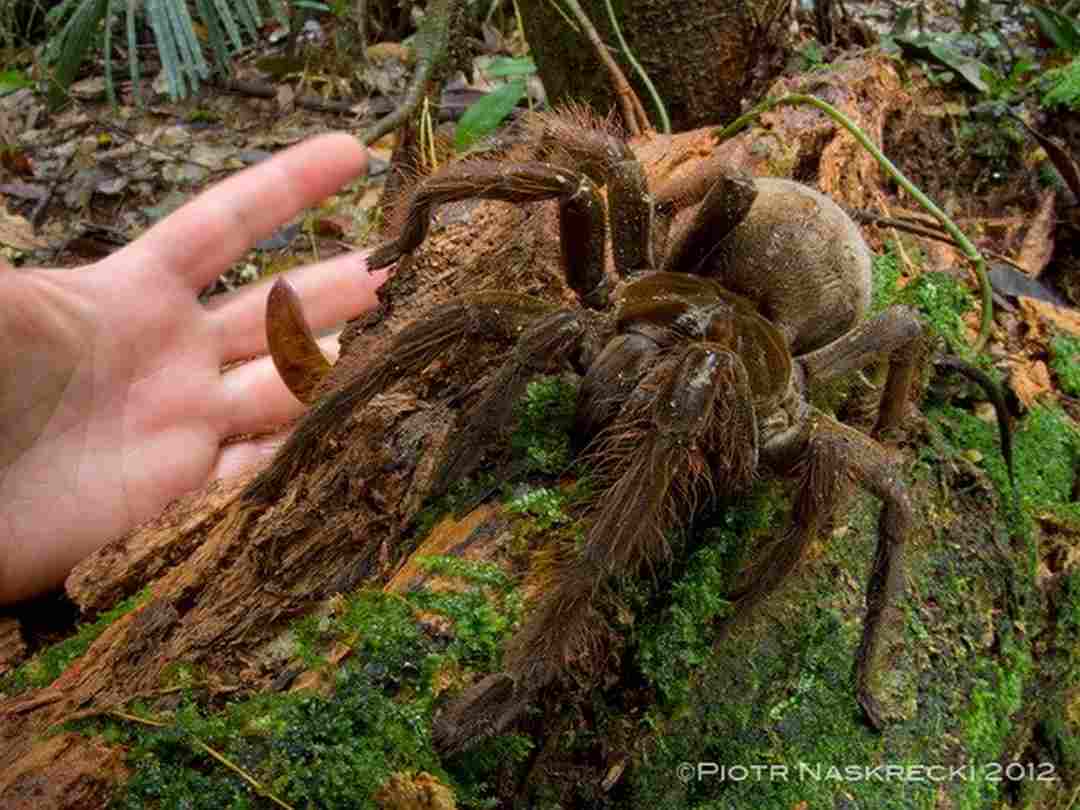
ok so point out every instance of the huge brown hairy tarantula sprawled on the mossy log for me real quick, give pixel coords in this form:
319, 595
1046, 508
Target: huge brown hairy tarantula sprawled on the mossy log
727, 302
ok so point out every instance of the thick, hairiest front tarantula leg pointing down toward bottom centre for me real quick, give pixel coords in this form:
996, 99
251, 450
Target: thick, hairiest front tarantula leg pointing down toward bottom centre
652, 465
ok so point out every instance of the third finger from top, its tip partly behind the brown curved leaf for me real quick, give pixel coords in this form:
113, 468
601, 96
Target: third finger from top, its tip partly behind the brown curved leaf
258, 401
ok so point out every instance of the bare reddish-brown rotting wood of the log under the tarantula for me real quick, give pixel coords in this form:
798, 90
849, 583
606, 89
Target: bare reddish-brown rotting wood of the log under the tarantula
227, 575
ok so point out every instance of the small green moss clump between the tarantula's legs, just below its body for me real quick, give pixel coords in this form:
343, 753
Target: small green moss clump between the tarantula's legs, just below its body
545, 420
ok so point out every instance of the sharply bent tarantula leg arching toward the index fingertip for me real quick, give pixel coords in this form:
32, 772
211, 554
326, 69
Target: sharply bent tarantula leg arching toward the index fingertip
583, 229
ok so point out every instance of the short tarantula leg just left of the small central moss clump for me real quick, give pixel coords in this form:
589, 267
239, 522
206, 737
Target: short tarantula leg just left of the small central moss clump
543, 347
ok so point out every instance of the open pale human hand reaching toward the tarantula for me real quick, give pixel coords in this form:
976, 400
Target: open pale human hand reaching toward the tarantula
113, 400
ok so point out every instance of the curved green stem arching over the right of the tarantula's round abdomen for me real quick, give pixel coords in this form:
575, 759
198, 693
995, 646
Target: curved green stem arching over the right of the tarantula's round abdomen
963, 242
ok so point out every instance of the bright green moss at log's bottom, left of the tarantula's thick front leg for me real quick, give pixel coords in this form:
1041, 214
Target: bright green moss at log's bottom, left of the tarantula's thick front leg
337, 751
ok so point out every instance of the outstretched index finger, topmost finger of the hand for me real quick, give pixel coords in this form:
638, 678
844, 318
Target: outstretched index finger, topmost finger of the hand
215, 229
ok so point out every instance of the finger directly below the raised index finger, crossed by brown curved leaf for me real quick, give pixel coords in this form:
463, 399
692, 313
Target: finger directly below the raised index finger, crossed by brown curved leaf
331, 292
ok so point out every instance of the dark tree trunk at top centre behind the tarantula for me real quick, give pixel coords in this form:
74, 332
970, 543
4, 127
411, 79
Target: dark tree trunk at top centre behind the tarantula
705, 57
